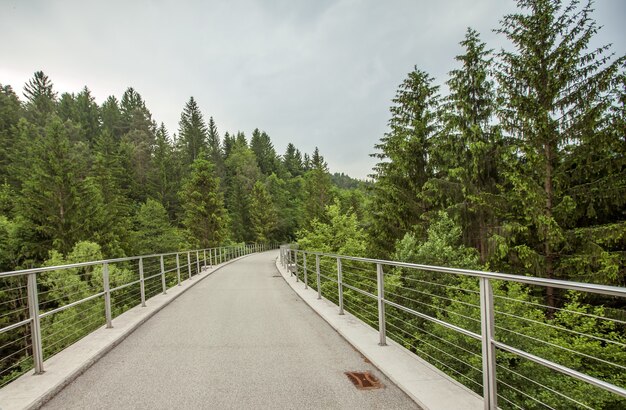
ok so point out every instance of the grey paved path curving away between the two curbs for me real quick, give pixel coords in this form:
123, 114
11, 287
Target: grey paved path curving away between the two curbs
239, 339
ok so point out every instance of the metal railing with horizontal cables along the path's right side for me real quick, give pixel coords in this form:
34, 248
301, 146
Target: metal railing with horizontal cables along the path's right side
493, 342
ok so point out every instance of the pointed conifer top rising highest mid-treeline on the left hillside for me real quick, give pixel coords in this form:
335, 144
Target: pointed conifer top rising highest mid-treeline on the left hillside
192, 131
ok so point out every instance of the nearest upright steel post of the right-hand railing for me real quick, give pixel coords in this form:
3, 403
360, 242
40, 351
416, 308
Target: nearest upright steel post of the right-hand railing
490, 393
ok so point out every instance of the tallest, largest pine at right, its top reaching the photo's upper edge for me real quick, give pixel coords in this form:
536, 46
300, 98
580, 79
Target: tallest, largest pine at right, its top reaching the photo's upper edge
554, 94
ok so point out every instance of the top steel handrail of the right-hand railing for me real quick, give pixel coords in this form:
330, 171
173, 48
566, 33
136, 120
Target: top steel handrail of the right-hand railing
530, 280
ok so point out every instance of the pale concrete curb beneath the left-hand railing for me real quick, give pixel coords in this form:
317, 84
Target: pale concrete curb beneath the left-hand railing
31, 391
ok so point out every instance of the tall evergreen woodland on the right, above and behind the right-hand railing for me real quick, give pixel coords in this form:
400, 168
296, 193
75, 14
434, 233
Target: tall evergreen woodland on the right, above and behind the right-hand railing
516, 163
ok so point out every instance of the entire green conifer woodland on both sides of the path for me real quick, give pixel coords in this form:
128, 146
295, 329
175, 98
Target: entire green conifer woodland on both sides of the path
516, 163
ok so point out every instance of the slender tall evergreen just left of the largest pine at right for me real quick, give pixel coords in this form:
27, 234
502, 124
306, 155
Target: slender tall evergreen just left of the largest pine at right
466, 153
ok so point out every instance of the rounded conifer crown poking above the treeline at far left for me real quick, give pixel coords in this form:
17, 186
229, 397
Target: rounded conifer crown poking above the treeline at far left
40, 98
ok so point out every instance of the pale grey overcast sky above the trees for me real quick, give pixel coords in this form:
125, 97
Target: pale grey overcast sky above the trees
315, 73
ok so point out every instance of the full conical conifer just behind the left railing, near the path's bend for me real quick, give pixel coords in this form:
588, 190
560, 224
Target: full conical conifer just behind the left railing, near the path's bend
203, 205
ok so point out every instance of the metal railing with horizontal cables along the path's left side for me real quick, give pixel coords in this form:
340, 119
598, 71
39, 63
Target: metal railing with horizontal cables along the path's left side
45, 309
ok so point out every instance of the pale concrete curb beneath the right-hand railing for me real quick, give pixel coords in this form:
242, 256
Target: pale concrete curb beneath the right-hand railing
430, 388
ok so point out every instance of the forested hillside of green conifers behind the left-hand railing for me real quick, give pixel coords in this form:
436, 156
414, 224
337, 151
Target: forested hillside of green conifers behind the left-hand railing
72, 170
